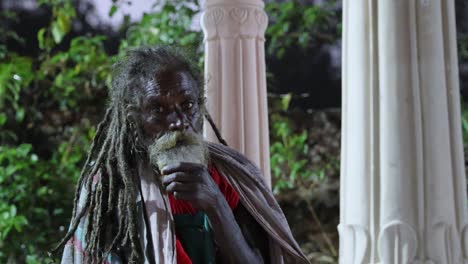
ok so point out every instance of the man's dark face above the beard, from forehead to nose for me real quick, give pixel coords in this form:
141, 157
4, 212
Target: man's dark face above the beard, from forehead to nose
171, 104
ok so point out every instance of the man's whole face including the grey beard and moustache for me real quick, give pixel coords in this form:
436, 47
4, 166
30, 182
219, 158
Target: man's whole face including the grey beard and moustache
171, 120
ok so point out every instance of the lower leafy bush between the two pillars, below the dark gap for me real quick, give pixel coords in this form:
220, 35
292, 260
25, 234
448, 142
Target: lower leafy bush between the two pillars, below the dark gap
305, 170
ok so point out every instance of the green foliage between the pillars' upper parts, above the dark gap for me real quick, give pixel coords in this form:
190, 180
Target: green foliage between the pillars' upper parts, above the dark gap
293, 24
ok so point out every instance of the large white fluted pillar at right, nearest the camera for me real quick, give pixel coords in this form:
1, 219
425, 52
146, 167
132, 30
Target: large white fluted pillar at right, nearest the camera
403, 187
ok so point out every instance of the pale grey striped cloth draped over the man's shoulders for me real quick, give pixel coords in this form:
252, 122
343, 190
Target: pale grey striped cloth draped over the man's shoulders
254, 195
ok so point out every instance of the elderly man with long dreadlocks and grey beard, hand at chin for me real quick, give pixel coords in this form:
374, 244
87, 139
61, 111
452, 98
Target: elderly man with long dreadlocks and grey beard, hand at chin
153, 191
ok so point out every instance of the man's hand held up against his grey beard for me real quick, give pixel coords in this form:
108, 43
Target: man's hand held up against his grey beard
192, 182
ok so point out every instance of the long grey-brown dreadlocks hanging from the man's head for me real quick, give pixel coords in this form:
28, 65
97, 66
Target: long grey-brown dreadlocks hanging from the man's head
112, 157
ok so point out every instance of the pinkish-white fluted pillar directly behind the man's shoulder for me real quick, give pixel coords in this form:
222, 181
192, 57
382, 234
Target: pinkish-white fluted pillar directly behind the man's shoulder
235, 76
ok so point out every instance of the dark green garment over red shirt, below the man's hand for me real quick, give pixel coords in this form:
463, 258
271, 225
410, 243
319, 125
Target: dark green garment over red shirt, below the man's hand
194, 233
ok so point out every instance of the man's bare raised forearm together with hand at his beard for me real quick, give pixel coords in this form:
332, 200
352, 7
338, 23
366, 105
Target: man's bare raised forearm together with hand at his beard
192, 182
